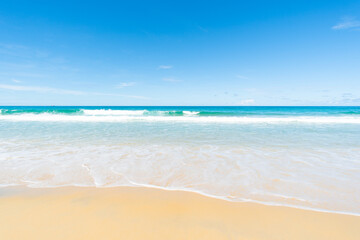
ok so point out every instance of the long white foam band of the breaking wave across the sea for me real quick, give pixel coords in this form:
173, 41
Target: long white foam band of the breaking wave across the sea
128, 116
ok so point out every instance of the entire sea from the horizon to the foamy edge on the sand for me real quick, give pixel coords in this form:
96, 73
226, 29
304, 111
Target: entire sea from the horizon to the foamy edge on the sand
306, 157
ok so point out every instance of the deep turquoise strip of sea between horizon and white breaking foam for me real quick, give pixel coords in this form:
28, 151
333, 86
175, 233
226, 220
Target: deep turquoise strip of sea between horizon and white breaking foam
200, 111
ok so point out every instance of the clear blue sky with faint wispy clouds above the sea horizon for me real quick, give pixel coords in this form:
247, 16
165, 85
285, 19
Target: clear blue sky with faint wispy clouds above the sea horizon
165, 53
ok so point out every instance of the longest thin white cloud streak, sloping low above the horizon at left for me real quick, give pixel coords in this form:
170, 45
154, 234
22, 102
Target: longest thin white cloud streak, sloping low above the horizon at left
63, 91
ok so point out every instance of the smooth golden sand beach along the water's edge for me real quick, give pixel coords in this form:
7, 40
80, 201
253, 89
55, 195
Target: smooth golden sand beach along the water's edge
140, 213
